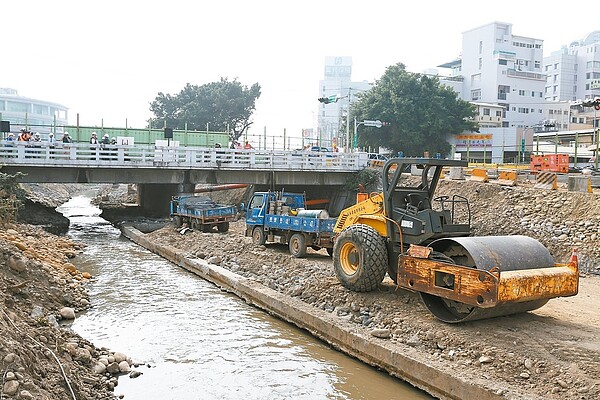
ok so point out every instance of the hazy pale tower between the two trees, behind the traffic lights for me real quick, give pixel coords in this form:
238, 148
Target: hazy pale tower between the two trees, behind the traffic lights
337, 83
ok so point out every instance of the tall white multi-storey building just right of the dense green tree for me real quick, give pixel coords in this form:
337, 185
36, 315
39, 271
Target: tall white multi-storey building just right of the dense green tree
498, 67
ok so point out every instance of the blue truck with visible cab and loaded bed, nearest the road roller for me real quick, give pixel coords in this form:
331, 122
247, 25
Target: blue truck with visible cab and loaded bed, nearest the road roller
282, 217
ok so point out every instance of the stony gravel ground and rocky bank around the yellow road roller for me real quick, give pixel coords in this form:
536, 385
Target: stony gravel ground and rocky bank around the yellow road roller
549, 353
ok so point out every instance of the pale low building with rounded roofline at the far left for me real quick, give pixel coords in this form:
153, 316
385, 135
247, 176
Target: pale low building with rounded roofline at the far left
35, 115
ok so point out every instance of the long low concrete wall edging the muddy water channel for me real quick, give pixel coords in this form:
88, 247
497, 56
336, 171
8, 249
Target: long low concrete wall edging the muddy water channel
337, 332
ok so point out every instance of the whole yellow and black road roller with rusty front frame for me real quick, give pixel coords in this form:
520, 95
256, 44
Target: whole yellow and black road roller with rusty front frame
423, 242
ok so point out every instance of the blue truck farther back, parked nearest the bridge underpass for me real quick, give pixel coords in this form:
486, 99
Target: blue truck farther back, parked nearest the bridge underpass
201, 213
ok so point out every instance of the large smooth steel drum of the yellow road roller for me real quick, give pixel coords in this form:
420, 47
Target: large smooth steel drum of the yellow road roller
507, 253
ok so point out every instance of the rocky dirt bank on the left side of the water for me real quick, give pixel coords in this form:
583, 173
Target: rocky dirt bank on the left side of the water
39, 290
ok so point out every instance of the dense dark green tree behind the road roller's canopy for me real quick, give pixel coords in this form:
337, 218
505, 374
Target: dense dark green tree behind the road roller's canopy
421, 113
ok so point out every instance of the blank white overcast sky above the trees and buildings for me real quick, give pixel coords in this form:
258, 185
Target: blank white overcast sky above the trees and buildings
107, 60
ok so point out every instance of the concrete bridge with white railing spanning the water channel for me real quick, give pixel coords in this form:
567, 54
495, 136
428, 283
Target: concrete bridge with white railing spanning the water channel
161, 171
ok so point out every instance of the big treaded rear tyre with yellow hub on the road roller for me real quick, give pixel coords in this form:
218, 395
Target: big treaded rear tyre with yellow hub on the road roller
360, 258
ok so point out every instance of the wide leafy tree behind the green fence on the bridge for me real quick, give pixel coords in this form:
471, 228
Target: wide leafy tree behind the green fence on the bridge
224, 105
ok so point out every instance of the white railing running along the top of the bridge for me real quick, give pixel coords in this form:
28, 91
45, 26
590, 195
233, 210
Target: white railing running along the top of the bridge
148, 156
